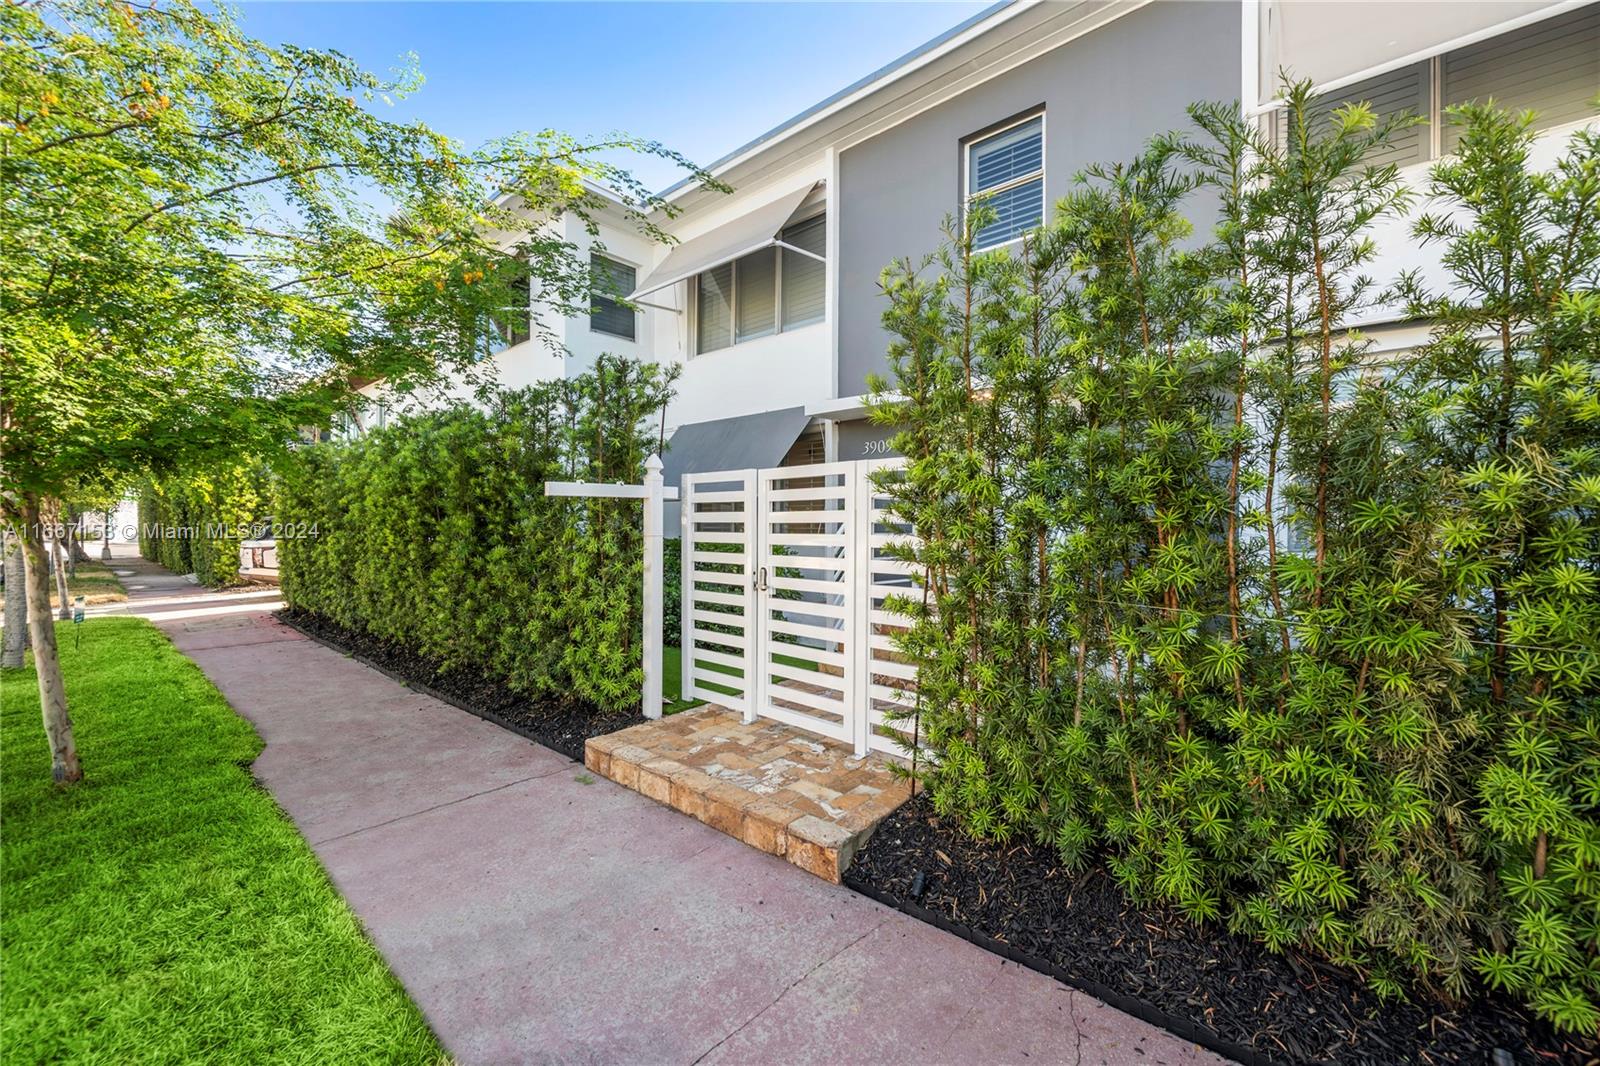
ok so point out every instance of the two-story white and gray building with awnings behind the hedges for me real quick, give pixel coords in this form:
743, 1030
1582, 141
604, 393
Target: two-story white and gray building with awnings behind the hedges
770, 300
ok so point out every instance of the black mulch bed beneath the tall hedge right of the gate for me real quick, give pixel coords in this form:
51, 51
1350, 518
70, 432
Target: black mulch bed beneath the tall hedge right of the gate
1202, 984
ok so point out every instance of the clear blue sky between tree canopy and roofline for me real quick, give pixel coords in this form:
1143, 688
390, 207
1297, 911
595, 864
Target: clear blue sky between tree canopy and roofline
700, 78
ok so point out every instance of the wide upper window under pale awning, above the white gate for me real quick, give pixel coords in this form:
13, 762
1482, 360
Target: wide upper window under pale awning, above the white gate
767, 292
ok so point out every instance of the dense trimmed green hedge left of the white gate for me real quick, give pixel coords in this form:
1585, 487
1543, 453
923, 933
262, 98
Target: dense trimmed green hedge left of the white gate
436, 534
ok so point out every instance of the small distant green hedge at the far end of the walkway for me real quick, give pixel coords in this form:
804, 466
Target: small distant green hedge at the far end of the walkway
196, 523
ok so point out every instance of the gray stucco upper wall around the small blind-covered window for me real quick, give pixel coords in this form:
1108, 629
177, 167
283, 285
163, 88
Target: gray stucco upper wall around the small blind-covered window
1105, 95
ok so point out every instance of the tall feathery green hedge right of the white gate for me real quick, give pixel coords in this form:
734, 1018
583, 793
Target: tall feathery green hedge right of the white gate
1289, 635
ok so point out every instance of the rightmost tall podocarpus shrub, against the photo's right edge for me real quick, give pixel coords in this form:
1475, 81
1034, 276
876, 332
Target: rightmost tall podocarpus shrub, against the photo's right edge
1510, 393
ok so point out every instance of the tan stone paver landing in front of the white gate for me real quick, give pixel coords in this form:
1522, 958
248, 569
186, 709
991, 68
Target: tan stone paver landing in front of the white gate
780, 790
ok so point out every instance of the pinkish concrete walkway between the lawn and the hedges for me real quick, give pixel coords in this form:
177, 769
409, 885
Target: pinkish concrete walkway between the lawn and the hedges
538, 915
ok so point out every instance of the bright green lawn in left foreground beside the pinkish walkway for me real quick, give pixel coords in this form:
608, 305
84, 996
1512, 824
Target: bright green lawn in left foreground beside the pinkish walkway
166, 910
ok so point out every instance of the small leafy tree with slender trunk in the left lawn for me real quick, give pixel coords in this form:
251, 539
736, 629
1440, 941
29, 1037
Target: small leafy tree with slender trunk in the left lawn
207, 239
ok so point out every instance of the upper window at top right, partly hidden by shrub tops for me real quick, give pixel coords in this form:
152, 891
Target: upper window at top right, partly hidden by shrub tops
1551, 68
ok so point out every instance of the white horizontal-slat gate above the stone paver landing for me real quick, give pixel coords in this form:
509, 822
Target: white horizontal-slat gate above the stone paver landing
785, 575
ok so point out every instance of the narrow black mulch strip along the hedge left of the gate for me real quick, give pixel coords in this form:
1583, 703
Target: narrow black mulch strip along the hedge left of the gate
559, 724
